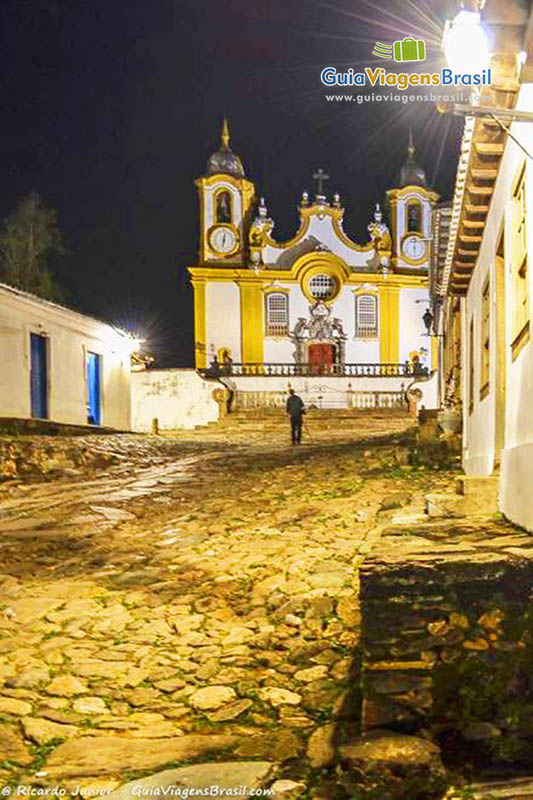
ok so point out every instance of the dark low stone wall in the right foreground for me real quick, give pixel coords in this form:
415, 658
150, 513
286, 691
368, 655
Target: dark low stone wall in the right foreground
447, 618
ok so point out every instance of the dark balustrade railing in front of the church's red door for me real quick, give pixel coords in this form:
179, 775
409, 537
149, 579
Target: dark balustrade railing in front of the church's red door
289, 370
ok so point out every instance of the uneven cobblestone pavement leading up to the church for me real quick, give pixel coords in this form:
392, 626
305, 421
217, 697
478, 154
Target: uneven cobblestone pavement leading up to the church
182, 599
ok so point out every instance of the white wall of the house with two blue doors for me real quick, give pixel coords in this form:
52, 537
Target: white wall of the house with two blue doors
70, 336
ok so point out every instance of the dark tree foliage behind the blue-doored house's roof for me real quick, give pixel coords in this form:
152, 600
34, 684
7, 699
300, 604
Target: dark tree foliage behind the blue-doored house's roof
29, 240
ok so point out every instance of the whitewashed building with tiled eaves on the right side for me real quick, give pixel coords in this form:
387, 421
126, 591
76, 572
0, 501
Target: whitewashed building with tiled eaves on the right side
484, 294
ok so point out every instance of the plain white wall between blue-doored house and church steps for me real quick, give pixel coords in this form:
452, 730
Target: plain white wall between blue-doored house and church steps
177, 398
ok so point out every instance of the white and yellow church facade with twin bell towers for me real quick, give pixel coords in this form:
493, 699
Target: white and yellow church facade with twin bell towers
320, 303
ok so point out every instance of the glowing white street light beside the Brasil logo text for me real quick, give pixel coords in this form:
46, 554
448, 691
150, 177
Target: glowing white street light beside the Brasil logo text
465, 43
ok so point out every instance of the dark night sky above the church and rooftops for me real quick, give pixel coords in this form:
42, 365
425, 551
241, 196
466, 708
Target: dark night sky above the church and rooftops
111, 108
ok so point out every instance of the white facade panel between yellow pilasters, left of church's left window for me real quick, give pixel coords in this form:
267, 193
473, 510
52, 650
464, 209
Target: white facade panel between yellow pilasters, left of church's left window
223, 318
